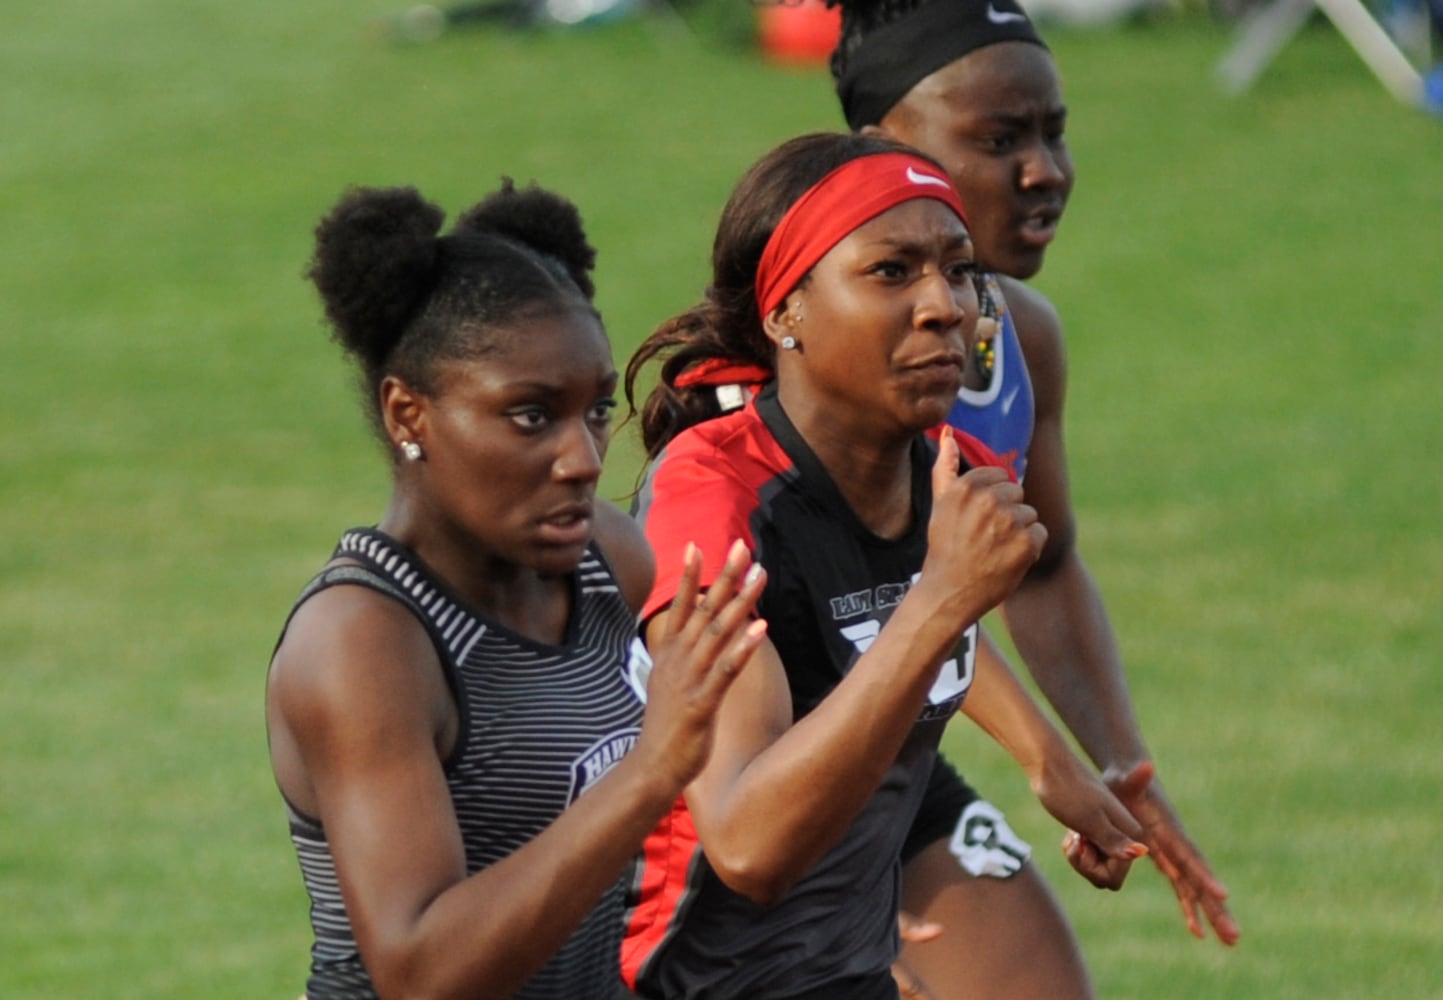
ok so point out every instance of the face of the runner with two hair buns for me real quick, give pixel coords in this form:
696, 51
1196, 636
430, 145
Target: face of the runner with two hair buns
514, 441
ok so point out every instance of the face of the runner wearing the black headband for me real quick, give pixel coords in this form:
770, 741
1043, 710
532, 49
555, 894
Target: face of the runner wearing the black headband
995, 119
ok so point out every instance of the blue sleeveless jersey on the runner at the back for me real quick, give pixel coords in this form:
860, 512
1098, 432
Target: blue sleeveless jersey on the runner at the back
1001, 415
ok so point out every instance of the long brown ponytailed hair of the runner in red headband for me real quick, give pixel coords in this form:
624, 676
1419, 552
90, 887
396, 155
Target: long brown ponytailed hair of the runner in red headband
728, 324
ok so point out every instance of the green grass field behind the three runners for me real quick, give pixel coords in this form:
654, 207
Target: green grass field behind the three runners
1253, 297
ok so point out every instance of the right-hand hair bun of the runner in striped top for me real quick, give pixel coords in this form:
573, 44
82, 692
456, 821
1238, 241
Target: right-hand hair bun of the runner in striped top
540, 220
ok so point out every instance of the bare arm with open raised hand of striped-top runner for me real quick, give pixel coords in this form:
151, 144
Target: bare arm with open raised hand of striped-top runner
360, 718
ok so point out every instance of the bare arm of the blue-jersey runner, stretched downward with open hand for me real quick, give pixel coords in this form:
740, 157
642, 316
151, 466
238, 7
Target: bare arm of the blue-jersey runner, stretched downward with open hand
1063, 633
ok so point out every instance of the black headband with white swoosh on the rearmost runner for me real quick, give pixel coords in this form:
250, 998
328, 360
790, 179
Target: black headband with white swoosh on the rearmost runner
894, 58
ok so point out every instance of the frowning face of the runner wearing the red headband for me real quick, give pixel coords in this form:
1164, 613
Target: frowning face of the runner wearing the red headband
888, 317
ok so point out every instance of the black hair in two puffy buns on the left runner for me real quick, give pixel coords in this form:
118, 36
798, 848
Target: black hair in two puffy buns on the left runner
402, 298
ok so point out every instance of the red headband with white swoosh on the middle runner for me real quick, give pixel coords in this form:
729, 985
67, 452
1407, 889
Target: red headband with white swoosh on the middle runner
832, 209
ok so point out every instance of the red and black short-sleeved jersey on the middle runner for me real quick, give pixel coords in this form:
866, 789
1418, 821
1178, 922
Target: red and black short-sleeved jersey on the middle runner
832, 585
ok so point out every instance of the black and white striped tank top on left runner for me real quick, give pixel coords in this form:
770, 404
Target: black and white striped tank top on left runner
539, 725
